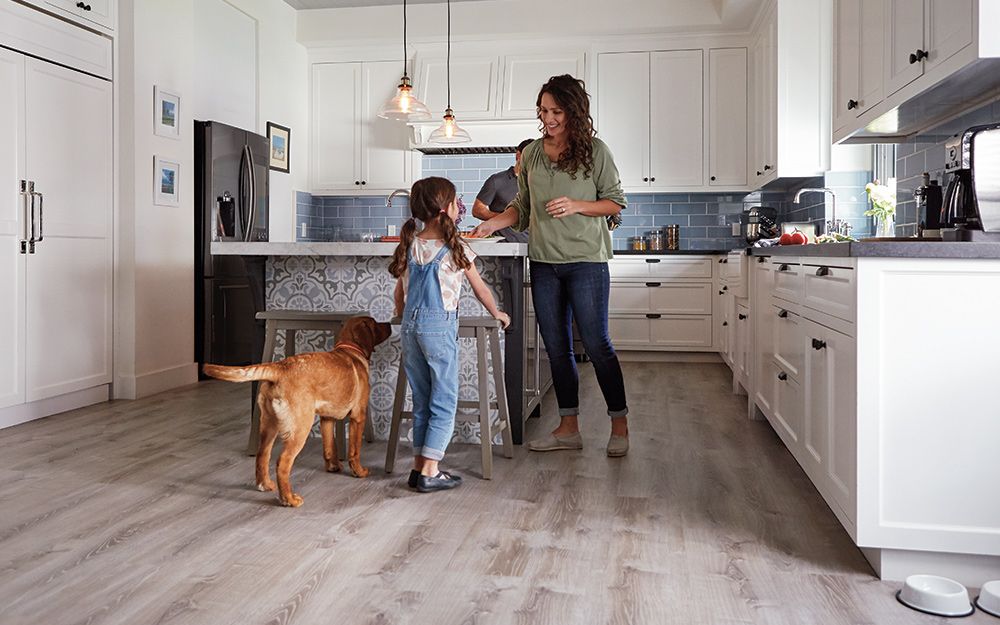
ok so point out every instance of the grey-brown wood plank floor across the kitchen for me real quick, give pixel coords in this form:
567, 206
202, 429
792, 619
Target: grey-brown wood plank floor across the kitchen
144, 512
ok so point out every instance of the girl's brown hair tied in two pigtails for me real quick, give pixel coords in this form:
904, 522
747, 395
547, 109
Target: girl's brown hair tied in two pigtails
429, 201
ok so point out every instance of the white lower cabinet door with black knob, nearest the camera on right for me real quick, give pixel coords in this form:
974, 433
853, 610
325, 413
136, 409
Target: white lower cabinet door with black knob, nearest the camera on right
830, 424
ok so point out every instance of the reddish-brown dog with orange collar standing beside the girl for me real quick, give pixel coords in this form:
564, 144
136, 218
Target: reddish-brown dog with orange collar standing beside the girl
333, 385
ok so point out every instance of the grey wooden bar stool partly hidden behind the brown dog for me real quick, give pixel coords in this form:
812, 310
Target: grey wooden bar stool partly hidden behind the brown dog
291, 321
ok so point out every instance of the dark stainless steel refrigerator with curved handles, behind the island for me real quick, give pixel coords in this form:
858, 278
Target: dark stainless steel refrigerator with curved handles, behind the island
231, 169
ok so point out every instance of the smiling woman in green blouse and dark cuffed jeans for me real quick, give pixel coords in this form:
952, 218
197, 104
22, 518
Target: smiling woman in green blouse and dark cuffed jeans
567, 189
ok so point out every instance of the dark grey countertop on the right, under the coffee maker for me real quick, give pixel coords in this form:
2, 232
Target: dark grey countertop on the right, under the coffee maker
886, 249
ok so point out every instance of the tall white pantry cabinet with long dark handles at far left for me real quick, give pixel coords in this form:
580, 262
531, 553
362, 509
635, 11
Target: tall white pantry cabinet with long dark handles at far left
56, 312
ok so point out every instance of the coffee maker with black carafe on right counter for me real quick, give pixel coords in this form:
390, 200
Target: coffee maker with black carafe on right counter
970, 210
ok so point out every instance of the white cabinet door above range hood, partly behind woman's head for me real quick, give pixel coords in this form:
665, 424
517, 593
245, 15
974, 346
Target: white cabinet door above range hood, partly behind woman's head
523, 76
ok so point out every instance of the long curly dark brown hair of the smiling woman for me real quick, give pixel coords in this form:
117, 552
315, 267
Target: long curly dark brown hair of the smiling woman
571, 96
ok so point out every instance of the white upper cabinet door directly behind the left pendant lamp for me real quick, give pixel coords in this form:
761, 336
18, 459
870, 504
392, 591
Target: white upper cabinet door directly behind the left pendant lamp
385, 153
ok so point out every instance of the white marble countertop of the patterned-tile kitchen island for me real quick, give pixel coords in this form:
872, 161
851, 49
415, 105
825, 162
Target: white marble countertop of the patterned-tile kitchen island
275, 248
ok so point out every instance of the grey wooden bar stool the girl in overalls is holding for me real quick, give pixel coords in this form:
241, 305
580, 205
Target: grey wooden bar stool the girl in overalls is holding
486, 332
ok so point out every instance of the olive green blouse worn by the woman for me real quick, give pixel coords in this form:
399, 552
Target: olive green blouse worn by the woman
577, 238
